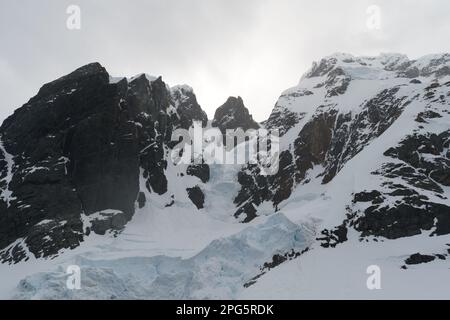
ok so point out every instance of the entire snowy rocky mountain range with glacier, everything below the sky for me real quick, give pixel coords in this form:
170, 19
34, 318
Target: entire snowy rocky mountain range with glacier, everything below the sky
363, 179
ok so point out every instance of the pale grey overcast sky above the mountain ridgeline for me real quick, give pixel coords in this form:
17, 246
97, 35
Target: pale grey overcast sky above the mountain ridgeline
252, 48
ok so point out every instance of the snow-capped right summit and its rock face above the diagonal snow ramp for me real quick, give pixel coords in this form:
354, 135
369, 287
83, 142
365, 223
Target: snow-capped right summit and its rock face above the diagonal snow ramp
339, 107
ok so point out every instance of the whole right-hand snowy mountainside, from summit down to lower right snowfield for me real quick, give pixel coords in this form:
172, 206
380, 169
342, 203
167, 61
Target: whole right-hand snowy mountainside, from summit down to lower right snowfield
387, 203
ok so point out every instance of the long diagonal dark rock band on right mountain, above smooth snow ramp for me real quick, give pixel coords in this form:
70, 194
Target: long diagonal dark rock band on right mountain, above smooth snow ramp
329, 139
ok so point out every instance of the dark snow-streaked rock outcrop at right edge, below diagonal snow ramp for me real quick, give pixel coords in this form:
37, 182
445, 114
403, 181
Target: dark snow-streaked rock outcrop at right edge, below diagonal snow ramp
411, 211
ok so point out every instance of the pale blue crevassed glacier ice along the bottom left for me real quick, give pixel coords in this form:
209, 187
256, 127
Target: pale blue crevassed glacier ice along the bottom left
218, 271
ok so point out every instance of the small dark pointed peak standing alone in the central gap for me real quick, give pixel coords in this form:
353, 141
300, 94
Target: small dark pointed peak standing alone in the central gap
232, 115
